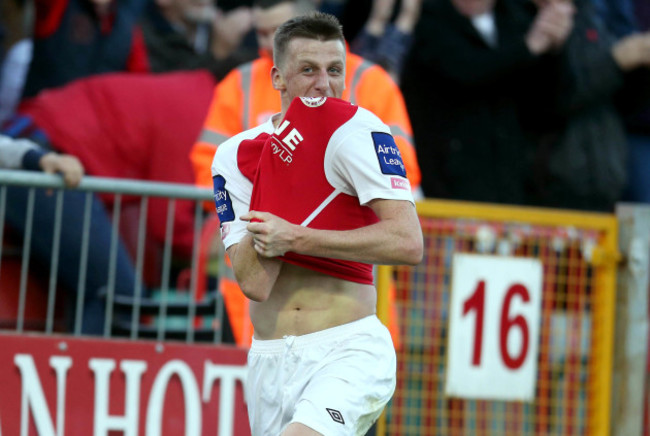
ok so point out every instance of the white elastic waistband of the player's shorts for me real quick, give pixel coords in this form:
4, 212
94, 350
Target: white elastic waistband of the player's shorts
297, 342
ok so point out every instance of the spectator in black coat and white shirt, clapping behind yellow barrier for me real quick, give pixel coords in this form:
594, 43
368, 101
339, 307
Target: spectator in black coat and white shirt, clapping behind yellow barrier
474, 66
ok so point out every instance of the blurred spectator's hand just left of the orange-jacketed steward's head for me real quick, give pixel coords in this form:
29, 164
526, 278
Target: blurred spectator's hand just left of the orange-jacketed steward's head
229, 29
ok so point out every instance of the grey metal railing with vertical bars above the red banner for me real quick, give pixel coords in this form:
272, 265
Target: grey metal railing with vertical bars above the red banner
147, 316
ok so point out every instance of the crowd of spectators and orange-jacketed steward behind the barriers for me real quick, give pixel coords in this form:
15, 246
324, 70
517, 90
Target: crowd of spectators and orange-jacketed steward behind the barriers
530, 102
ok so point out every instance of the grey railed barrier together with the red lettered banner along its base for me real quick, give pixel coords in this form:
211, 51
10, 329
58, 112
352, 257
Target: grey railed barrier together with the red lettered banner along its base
59, 376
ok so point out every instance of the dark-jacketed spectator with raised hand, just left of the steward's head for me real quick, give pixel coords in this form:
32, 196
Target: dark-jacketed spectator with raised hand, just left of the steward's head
186, 35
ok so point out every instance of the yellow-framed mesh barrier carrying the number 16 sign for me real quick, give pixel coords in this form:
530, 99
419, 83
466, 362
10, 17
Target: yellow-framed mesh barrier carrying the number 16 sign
572, 385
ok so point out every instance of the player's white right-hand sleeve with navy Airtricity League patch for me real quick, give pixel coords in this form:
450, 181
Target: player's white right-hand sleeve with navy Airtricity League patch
363, 160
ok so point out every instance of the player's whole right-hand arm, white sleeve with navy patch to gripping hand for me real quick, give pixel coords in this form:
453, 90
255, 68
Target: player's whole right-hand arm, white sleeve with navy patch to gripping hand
361, 160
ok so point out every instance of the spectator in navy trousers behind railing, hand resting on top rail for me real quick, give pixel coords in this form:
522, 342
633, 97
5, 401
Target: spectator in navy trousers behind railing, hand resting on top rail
25, 154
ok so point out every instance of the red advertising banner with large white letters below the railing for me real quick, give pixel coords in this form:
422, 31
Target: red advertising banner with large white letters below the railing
59, 385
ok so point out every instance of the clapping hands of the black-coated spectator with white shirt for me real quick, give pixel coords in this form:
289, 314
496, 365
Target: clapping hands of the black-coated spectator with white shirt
552, 26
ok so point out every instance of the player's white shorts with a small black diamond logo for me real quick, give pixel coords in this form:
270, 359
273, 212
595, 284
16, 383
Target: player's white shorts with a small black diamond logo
336, 381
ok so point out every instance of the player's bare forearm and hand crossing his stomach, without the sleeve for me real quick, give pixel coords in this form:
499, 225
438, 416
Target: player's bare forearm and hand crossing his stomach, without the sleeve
395, 239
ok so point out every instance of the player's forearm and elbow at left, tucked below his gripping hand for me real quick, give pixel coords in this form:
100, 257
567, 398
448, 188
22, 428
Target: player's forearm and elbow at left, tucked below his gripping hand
255, 274
